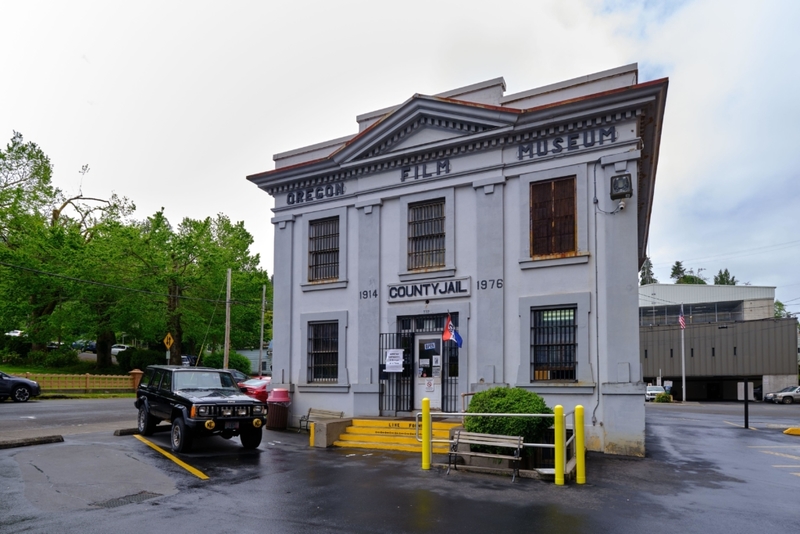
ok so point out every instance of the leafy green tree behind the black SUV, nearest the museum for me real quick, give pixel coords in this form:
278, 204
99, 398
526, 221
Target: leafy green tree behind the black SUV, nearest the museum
188, 266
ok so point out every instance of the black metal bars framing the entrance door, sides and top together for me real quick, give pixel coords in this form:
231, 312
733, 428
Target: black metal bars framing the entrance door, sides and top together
397, 389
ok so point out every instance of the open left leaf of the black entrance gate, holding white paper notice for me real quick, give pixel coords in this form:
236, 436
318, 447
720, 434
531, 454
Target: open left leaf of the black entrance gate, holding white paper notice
397, 389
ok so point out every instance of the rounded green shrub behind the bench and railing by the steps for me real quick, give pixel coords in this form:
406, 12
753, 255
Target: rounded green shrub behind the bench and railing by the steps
509, 400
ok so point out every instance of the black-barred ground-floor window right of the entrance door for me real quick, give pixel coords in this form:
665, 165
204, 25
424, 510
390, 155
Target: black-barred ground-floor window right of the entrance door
553, 344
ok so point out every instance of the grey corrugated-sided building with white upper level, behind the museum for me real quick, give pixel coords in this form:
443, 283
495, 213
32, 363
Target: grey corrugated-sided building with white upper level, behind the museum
731, 335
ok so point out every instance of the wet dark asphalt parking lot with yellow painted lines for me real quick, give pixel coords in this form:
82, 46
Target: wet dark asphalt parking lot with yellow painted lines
703, 473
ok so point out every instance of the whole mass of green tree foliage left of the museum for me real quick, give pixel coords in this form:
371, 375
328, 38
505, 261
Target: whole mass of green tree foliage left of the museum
76, 266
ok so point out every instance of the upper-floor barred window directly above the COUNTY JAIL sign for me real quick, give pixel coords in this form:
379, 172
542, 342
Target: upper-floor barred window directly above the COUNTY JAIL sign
426, 235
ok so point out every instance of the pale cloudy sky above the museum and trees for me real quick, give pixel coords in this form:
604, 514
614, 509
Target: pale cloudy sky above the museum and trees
172, 104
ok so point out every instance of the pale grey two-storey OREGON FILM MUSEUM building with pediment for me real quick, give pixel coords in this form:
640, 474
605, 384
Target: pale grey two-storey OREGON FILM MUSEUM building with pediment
524, 217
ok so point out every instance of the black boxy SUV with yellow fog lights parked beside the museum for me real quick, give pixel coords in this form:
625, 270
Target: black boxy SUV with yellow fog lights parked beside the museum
198, 401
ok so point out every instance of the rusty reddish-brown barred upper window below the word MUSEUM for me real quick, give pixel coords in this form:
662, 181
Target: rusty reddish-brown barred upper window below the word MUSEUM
553, 217
